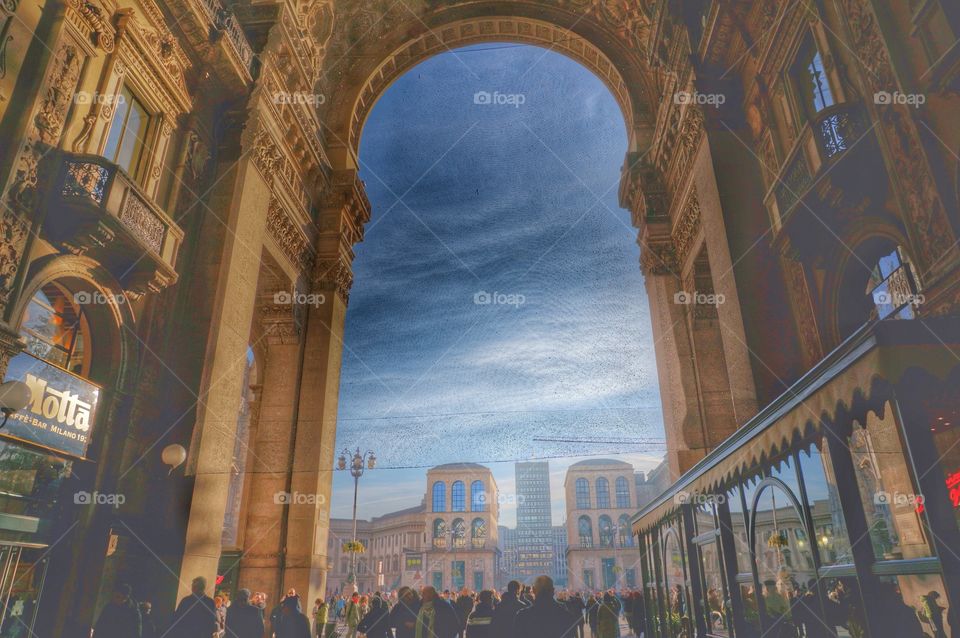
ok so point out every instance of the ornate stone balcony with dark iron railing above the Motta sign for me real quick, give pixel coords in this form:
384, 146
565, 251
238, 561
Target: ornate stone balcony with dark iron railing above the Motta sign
95, 208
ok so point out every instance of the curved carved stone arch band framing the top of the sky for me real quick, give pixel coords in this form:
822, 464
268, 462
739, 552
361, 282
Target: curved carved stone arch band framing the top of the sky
352, 92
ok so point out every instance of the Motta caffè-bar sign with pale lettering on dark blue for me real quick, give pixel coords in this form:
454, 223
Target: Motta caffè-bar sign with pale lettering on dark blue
62, 406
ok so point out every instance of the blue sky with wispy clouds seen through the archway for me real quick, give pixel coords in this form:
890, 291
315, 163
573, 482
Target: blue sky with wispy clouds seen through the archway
498, 298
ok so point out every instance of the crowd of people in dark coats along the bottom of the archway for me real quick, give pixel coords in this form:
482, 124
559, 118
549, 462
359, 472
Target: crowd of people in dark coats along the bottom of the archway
536, 611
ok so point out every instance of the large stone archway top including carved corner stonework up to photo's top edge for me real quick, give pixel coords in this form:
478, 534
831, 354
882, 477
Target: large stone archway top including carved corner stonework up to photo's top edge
375, 45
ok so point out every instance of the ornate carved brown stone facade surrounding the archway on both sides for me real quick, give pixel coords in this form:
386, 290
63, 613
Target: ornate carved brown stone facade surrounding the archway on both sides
241, 194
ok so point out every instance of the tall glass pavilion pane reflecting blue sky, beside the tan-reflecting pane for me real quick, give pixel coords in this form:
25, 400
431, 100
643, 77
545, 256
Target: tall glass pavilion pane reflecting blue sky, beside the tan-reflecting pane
830, 527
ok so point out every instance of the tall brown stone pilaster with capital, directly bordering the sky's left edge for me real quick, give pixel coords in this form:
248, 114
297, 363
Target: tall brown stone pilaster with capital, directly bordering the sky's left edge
344, 211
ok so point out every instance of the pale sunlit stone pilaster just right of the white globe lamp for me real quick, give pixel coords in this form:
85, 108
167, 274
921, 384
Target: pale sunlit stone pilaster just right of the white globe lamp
241, 200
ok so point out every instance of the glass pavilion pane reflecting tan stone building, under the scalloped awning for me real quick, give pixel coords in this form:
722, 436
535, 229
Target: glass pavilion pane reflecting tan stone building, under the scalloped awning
885, 483
